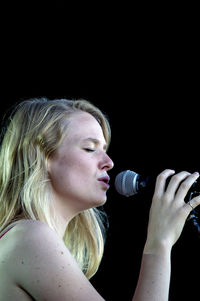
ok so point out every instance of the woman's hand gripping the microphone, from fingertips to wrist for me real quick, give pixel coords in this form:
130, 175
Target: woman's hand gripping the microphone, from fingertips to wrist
169, 211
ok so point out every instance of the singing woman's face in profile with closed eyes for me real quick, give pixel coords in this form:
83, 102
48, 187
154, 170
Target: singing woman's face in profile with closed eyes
78, 170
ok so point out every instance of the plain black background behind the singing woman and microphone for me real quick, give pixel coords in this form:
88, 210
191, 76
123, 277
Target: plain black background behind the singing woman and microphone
139, 65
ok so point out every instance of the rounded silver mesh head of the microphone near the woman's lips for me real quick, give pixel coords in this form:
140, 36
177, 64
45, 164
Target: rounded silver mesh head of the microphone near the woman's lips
126, 183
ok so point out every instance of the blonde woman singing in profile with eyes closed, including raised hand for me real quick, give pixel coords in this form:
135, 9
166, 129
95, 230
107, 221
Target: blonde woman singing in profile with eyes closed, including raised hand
53, 174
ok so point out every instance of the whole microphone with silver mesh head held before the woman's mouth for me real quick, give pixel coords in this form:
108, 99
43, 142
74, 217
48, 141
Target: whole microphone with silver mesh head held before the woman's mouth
129, 183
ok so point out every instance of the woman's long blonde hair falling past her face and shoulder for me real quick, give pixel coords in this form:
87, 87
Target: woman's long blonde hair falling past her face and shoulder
35, 130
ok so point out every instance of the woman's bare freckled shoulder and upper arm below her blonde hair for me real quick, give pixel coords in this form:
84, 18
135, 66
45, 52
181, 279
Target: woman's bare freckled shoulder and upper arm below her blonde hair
44, 268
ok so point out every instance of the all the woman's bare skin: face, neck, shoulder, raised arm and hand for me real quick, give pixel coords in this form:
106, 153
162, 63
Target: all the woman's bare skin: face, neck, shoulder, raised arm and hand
34, 262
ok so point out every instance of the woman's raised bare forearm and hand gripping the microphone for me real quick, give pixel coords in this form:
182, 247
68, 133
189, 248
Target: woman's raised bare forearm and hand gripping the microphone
166, 221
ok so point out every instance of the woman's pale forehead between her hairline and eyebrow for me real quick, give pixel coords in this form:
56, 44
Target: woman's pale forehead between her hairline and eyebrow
83, 125
